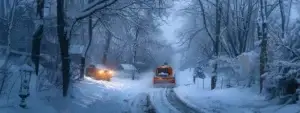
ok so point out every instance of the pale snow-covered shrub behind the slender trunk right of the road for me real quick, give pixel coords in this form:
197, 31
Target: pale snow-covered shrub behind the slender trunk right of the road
239, 71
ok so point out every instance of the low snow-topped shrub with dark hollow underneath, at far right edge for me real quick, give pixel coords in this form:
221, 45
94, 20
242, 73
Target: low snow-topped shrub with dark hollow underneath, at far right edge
280, 82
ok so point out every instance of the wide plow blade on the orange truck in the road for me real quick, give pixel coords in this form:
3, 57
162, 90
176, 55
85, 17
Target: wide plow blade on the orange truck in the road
165, 82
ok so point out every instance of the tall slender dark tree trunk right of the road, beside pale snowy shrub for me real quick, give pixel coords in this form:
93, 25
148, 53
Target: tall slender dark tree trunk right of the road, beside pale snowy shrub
216, 45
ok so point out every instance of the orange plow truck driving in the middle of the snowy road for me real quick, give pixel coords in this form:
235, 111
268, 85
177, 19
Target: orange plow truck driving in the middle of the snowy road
164, 77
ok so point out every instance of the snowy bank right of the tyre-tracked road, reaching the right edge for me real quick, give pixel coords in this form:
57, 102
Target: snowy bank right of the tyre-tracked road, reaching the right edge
228, 100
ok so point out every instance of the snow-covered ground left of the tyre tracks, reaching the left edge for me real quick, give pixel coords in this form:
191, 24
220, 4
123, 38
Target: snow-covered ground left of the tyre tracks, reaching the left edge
88, 96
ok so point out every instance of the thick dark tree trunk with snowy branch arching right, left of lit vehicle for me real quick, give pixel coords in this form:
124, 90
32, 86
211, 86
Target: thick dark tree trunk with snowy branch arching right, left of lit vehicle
64, 46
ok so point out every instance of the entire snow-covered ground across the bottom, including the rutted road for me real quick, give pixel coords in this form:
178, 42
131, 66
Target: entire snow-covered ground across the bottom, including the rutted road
123, 95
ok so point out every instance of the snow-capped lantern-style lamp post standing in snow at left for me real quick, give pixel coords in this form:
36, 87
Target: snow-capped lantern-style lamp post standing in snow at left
25, 73
